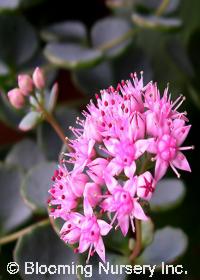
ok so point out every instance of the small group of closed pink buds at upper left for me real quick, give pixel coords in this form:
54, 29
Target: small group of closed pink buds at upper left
26, 84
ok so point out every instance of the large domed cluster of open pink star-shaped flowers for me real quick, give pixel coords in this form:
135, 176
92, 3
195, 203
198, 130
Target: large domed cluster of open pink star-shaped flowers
128, 138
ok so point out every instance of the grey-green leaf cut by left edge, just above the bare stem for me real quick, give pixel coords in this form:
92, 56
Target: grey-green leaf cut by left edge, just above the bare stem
13, 211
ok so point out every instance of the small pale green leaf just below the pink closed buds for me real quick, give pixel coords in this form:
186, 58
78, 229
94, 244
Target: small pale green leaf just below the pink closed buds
30, 121
